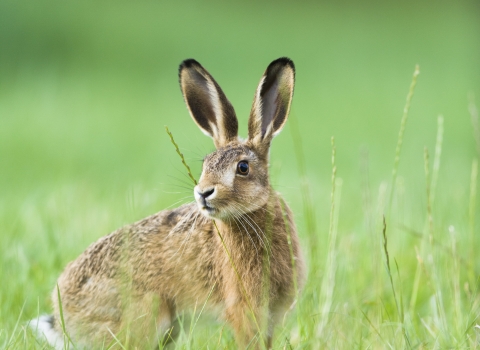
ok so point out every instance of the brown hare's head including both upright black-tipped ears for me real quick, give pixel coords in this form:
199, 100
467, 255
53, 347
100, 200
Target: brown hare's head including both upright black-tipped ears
235, 179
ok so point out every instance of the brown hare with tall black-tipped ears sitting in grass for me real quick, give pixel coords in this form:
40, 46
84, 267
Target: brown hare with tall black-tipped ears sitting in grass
129, 286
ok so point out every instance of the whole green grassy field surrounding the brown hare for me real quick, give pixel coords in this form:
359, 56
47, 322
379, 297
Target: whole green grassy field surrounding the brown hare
87, 88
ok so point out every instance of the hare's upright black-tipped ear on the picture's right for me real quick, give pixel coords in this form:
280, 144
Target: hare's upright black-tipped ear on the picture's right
272, 102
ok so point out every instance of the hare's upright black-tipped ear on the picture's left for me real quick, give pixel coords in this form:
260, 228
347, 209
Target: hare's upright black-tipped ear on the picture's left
207, 103
